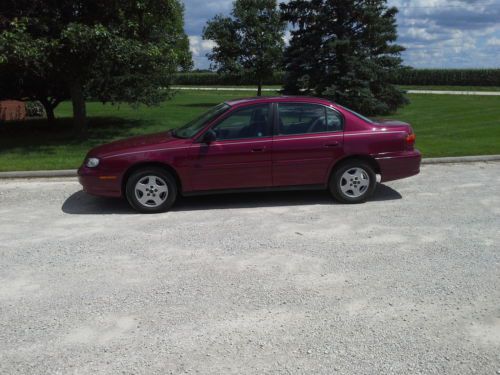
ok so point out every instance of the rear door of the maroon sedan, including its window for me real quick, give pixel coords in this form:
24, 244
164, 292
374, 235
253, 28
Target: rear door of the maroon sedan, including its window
309, 137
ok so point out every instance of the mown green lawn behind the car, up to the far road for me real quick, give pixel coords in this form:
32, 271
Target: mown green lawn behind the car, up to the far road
445, 126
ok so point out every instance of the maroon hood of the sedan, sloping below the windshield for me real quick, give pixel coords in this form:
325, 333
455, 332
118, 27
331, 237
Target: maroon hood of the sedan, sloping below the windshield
149, 142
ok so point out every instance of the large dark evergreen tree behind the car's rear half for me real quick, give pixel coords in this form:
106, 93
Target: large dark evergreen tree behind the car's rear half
344, 50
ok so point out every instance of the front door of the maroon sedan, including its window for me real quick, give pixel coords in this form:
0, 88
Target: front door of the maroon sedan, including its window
240, 155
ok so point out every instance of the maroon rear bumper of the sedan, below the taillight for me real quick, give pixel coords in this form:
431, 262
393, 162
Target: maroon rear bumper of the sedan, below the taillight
399, 165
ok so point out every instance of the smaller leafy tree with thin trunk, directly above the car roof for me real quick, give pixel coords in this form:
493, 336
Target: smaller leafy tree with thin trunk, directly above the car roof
250, 41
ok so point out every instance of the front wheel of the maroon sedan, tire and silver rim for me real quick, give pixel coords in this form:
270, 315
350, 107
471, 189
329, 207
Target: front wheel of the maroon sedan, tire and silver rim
151, 190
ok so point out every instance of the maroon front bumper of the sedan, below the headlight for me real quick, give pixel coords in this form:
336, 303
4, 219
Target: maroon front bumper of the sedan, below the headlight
99, 183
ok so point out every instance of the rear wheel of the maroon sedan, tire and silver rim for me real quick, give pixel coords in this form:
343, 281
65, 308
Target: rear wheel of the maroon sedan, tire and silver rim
353, 182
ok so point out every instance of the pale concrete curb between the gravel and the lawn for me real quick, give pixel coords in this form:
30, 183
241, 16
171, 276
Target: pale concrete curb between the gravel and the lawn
72, 172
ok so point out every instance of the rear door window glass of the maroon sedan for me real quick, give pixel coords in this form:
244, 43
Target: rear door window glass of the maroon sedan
302, 118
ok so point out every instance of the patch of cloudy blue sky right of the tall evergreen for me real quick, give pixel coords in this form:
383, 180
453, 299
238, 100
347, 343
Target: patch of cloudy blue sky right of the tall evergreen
449, 33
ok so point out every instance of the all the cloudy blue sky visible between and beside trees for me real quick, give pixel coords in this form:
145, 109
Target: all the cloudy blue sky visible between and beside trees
436, 33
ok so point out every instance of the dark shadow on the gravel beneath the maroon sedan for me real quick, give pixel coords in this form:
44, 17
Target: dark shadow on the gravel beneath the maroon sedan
80, 203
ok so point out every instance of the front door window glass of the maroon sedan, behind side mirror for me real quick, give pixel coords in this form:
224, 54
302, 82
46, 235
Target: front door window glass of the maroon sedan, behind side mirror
249, 122
